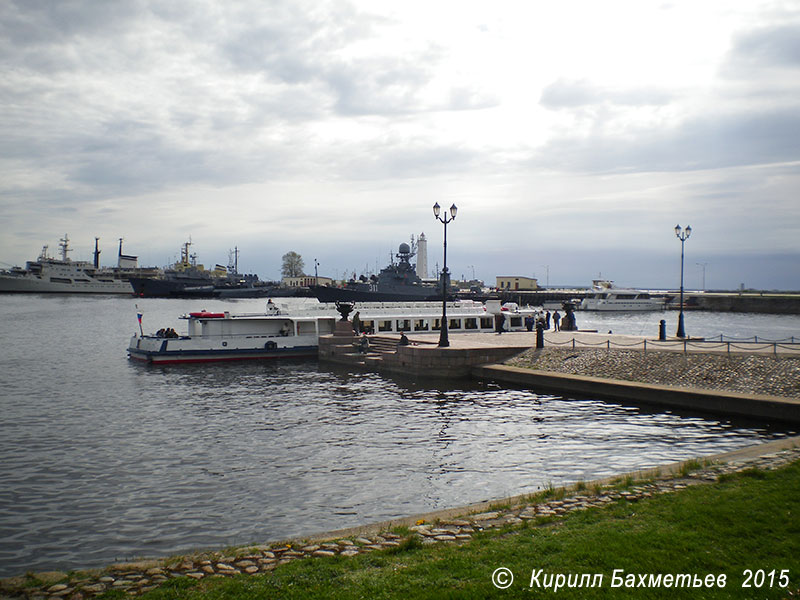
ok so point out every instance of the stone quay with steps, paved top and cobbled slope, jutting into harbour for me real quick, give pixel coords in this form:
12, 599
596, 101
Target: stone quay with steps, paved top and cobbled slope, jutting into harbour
751, 380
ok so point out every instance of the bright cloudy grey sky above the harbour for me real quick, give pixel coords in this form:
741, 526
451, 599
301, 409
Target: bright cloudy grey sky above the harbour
573, 136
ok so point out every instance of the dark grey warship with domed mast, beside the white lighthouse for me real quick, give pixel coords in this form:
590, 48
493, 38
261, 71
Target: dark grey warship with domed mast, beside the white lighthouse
397, 282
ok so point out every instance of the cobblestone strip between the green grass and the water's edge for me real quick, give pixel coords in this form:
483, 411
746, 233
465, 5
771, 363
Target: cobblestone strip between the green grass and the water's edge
136, 578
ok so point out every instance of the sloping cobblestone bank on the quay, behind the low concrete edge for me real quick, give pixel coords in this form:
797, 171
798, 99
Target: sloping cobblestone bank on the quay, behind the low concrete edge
745, 373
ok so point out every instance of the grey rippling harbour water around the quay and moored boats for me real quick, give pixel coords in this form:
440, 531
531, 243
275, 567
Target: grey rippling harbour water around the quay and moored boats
103, 459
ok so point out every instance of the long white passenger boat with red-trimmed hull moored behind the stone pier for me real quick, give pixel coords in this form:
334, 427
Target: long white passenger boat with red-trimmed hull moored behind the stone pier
290, 333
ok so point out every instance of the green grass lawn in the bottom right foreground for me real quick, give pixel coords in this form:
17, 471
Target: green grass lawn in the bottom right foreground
746, 521
